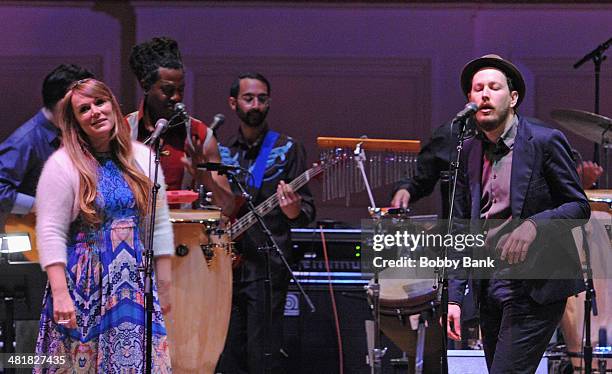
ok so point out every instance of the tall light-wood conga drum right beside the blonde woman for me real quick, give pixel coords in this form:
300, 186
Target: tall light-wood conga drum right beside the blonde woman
201, 291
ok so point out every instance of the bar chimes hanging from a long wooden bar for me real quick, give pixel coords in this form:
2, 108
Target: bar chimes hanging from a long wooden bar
387, 161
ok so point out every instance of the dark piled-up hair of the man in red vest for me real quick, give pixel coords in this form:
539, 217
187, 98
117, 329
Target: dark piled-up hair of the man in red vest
146, 58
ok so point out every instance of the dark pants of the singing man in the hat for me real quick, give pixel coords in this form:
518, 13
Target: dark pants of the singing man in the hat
516, 332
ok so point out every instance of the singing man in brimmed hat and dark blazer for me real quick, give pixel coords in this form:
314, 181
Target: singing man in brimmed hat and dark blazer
516, 170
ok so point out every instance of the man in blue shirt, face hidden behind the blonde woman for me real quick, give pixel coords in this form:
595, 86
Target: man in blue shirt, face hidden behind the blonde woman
22, 156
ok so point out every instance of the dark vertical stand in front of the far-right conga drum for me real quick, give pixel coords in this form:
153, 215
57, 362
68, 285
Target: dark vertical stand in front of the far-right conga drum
590, 304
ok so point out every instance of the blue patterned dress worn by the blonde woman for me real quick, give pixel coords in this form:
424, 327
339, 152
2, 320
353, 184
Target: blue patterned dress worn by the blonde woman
107, 289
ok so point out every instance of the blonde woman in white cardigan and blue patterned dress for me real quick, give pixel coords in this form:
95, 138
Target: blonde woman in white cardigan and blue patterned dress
91, 202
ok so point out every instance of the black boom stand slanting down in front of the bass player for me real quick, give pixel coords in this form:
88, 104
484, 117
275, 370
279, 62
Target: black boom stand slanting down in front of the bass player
272, 246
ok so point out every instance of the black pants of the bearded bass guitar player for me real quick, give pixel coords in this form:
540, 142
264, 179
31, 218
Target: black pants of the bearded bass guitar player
244, 346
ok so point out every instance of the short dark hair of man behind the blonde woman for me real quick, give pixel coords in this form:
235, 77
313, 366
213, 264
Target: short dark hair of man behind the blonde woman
56, 83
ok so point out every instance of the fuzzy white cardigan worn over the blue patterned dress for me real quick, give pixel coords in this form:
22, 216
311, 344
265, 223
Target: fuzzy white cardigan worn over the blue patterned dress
57, 206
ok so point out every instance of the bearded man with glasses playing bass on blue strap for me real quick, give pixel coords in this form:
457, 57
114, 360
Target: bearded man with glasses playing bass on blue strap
273, 160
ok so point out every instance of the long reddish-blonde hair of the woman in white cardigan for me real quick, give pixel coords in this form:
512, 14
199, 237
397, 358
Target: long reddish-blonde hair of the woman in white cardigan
80, 150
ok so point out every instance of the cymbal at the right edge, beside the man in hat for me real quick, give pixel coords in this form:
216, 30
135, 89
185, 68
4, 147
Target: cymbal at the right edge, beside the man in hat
586, 124
